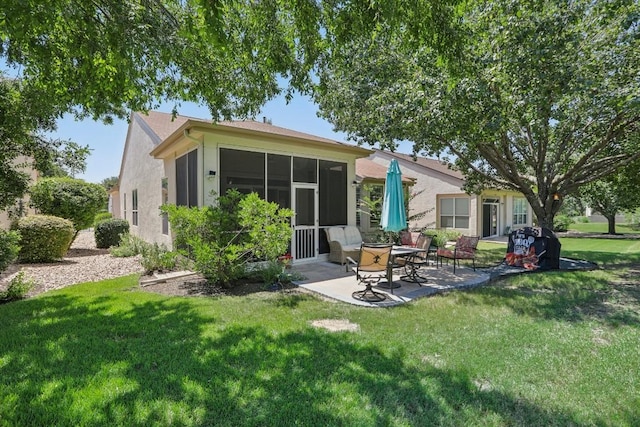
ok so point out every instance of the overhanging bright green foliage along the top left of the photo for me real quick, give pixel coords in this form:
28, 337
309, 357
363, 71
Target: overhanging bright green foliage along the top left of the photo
107, 57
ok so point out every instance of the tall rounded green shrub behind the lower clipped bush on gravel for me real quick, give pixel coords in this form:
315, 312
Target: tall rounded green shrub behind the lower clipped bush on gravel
73, 199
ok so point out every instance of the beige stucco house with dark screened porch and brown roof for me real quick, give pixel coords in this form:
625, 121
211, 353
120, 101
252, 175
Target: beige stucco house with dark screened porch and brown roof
188, 161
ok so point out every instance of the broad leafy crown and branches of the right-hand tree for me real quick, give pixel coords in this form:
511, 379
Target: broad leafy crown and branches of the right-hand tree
543, 98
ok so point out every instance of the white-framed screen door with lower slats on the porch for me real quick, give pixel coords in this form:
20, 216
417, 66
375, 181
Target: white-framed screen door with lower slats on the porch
304, 245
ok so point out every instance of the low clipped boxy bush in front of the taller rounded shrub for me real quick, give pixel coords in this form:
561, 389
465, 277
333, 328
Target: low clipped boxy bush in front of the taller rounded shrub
44, 238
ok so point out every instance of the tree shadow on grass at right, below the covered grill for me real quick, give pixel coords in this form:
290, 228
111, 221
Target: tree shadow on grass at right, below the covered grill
611, 297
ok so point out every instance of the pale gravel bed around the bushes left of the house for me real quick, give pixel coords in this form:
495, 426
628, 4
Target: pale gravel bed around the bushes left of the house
83, 263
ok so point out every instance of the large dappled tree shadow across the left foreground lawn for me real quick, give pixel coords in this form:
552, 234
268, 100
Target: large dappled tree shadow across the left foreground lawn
89, 361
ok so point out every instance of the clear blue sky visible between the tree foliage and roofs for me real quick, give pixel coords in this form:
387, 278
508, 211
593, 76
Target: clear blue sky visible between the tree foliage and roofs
107, 141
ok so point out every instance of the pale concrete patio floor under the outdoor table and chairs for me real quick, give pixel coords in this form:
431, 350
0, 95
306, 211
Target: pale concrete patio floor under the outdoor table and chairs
333, 281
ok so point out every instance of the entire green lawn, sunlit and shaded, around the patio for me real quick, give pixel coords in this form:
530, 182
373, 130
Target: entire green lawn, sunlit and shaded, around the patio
555, 348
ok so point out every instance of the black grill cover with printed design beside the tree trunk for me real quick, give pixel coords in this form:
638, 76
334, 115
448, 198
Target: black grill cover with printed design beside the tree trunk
533, 248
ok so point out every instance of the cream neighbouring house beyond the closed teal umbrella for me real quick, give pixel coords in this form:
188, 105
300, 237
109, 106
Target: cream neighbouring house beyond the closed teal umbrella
440, 196
